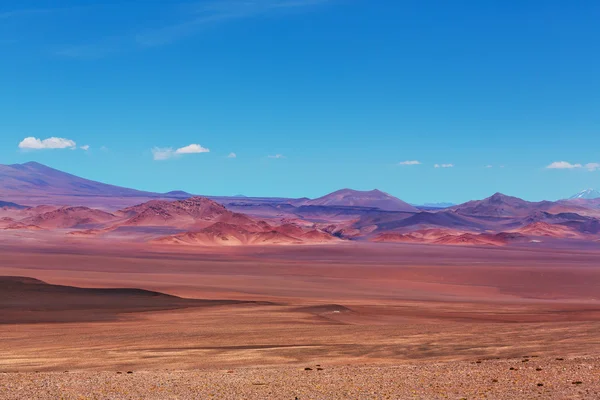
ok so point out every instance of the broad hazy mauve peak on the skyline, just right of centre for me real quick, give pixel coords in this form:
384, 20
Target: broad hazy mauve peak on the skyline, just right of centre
356, 198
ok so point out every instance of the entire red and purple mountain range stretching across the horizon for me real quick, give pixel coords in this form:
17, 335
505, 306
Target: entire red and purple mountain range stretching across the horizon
36, 198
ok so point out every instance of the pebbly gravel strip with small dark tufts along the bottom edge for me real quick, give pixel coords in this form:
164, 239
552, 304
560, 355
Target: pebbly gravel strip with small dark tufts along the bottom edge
529, 377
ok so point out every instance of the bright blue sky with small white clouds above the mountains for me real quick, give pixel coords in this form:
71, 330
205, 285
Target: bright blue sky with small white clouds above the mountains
310, 95
